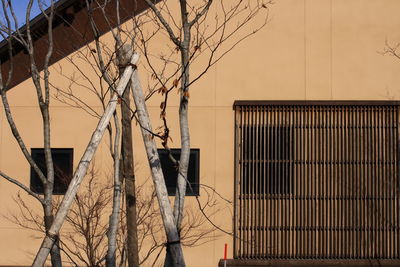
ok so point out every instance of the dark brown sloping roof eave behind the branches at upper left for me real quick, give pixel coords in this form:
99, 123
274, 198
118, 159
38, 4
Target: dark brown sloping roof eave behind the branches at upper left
71, 32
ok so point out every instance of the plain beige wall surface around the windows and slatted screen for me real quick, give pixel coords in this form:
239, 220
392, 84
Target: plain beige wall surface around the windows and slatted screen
310, 50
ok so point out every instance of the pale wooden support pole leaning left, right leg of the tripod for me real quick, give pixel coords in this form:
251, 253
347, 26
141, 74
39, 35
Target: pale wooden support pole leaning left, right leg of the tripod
173, 240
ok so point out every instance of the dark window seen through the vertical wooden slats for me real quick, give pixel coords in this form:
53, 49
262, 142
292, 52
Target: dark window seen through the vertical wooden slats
267, 159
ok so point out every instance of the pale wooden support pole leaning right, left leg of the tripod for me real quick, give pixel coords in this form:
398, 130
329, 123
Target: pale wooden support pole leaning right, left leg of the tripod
80, 172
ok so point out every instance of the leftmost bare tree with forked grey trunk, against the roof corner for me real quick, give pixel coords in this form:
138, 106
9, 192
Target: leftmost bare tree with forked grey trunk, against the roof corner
24, 38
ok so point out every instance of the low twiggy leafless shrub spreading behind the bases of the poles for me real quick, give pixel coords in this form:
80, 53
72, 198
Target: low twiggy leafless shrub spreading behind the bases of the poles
84, 241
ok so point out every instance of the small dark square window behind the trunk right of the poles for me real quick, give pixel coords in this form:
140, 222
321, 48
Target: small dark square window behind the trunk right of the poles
171, 173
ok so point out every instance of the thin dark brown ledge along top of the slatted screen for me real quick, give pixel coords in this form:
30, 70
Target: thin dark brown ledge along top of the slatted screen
239, 103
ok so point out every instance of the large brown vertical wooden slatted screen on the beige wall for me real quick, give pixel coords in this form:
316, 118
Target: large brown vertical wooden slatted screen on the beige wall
317, 180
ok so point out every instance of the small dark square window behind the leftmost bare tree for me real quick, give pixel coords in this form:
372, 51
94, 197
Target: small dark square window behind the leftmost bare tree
62, 160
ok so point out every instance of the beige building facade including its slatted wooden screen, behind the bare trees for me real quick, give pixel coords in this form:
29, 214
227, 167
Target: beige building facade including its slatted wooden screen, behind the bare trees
298, 126
